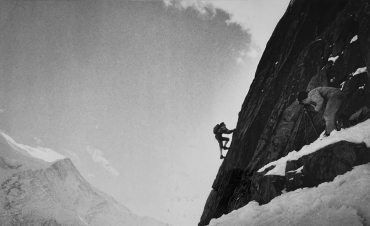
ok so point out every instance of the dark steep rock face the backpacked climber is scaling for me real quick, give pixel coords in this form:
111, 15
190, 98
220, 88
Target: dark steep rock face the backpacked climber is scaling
316, 43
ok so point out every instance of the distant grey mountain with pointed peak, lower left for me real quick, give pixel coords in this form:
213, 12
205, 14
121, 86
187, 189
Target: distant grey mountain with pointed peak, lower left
34, 193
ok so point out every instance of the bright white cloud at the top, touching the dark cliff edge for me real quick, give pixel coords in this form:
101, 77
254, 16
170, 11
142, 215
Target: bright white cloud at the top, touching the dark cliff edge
256, 17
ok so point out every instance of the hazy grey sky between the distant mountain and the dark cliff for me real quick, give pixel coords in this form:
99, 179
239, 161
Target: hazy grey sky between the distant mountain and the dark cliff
130, 90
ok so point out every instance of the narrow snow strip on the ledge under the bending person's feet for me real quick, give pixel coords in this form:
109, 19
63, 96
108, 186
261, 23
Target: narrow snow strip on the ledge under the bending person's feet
356, 134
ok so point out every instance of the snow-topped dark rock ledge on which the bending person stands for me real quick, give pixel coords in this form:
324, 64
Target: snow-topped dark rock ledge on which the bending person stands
314, 164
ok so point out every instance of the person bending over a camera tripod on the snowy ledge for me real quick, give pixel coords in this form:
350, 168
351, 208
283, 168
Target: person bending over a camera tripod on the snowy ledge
335, 102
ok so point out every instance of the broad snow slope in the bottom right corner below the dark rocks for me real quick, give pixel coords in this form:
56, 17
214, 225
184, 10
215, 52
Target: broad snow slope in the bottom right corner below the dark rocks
343, 202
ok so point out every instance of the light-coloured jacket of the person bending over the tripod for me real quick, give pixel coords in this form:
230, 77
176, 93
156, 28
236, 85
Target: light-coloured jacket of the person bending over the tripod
319, 95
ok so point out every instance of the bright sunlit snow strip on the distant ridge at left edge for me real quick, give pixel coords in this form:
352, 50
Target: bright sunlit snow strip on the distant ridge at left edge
46, 154
